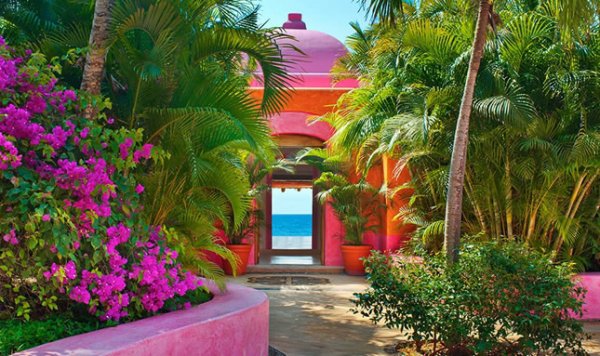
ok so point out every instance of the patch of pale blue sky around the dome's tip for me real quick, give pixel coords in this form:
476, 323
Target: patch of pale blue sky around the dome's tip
329, 16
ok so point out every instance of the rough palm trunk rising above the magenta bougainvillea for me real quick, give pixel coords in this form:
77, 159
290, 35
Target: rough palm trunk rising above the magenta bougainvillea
94, 62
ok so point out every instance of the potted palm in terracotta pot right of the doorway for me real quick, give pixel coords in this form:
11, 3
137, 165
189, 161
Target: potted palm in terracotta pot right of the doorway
353, 203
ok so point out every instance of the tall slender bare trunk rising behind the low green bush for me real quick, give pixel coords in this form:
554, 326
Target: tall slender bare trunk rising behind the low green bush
461, 139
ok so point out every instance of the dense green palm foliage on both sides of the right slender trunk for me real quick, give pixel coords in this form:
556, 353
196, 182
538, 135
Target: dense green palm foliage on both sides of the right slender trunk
533, 168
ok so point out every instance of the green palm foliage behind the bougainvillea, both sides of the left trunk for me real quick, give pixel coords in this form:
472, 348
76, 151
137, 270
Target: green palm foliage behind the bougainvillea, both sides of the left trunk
179, 71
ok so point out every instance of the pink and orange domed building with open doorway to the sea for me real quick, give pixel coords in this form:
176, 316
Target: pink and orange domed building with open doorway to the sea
315, 94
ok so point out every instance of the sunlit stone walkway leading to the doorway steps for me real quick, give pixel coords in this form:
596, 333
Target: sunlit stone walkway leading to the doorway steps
315, 319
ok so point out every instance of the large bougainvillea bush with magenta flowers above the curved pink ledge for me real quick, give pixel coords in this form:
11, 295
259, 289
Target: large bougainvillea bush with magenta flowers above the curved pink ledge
71, 229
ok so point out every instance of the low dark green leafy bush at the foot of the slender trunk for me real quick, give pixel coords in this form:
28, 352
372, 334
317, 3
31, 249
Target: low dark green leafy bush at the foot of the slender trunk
499, 298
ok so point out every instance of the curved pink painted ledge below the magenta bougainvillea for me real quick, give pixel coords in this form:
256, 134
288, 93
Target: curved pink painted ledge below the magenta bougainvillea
234, 322
